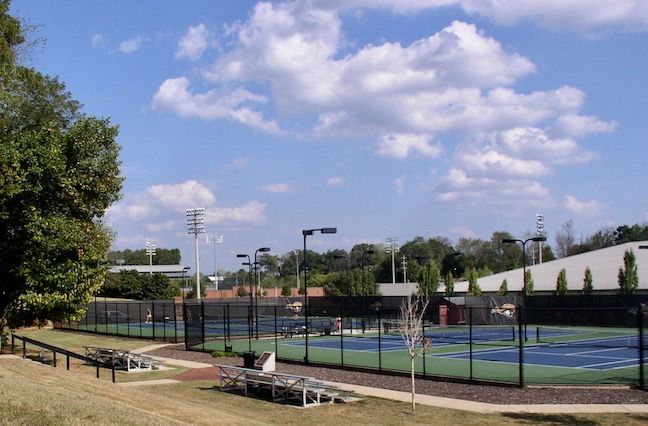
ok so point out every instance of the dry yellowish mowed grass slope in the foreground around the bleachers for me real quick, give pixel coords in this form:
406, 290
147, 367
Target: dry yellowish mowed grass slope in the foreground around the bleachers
36, 394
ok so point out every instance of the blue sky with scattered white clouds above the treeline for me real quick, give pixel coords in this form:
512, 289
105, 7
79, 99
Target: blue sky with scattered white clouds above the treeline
383, 118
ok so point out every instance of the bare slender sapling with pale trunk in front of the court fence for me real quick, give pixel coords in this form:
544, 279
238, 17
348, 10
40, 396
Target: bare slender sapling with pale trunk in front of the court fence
411, 329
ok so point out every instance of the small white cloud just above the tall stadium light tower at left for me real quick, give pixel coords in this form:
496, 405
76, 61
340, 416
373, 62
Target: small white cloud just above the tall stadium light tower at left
185, 195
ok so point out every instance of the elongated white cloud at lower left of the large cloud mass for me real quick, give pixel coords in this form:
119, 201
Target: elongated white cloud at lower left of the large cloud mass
174, 95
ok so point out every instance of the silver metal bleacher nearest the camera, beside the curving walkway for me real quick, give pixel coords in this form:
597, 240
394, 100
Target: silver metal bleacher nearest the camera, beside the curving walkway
282, 387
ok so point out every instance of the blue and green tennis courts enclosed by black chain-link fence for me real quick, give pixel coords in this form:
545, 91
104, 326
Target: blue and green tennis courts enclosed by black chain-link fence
487, 339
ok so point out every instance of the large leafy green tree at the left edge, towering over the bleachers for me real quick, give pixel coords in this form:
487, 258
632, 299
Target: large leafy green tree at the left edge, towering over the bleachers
59, 171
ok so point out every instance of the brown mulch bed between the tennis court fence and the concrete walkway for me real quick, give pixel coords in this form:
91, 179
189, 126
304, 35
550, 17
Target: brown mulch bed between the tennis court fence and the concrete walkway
491, 394
